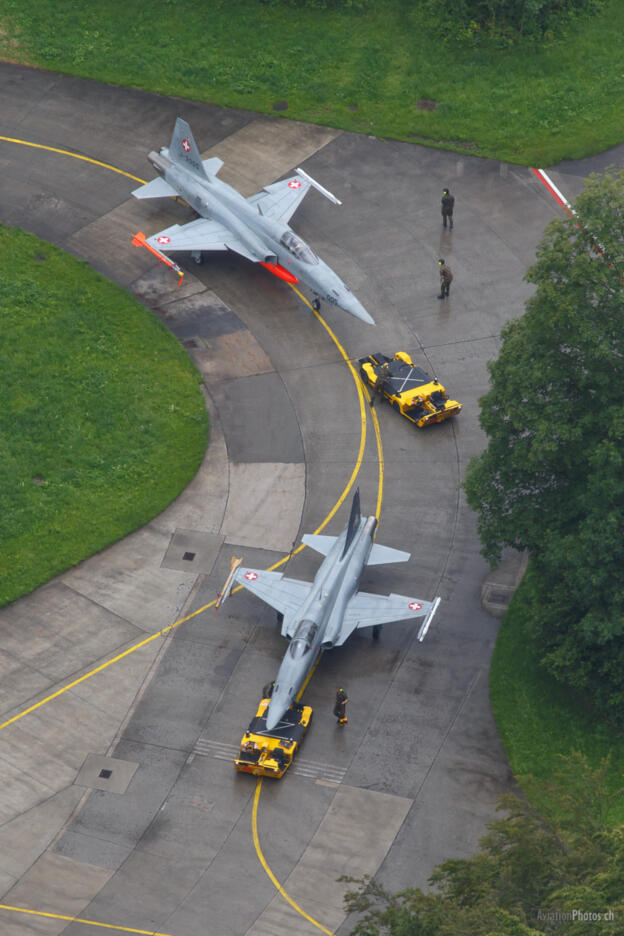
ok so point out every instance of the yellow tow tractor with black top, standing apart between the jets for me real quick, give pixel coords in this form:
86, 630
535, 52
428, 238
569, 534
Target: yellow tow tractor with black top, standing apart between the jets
409, 389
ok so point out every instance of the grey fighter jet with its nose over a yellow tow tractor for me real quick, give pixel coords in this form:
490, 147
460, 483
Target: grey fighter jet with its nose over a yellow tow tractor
320, 615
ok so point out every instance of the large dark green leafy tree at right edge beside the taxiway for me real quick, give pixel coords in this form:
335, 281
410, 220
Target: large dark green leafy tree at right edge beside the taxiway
552, 477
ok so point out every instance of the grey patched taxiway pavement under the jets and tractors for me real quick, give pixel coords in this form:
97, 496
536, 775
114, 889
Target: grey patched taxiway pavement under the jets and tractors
169, 845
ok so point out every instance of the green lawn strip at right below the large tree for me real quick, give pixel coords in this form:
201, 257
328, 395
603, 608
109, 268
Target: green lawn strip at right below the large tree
539, 719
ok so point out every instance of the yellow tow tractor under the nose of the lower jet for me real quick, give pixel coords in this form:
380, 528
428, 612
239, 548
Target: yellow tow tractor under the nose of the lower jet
270, 753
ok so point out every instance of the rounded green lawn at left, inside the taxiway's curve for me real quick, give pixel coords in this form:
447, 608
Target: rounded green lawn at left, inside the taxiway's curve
102, 419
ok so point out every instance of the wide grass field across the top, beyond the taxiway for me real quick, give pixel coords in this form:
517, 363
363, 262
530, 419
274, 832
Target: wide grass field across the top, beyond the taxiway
360, 71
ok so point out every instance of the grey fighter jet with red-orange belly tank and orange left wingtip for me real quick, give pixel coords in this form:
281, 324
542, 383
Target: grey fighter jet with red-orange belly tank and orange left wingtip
256, 227
